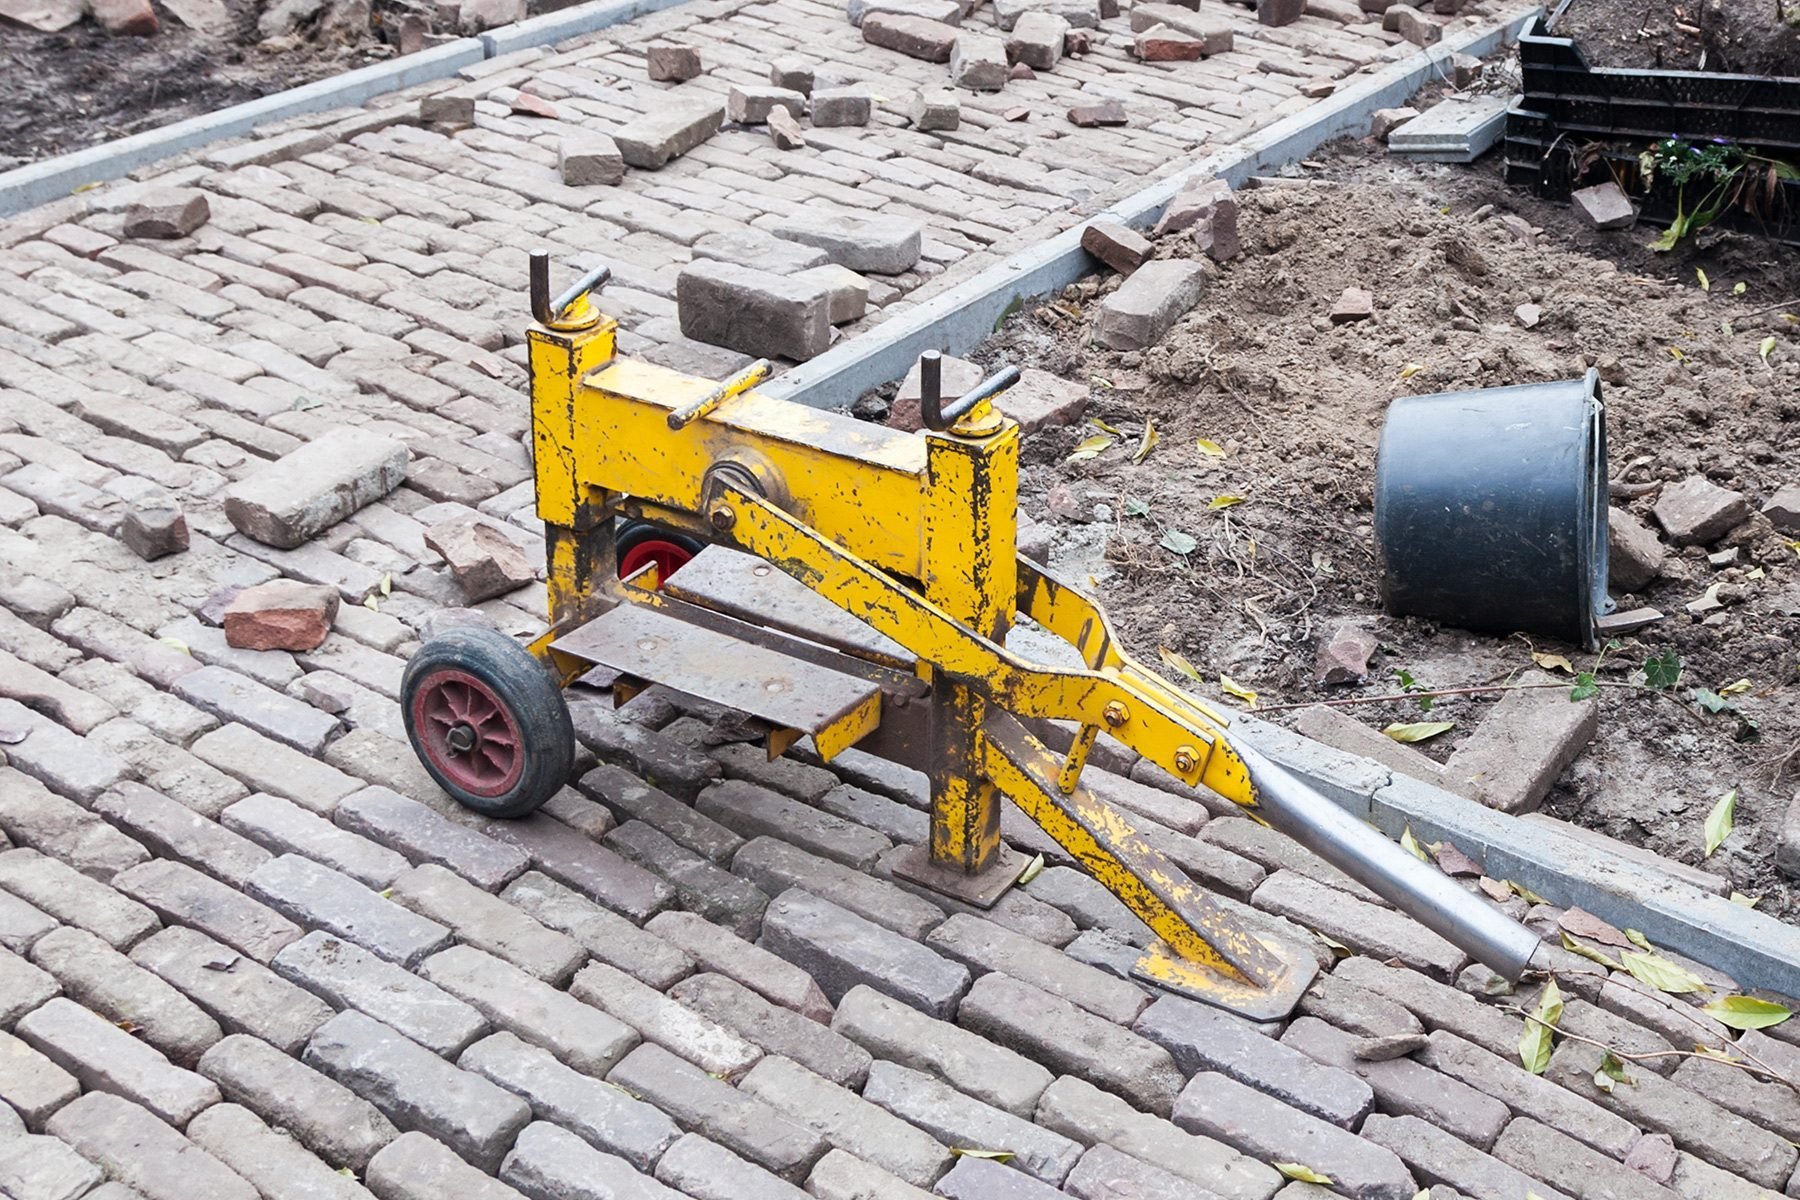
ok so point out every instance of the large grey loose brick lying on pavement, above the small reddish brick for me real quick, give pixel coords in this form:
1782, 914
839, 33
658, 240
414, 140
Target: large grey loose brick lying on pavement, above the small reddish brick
307, 492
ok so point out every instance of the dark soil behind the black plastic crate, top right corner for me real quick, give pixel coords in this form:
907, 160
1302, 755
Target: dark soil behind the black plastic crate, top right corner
1741, 37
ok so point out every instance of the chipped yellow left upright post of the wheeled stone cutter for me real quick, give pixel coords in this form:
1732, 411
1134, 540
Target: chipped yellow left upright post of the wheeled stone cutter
579, 541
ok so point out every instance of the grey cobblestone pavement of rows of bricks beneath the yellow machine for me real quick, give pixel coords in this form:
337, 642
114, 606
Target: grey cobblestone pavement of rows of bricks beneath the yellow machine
247, 949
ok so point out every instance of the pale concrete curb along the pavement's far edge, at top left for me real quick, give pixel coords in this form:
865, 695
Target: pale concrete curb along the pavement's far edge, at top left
55, 179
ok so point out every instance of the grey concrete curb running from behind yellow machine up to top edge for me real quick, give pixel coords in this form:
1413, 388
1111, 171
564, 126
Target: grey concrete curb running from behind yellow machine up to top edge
962, 318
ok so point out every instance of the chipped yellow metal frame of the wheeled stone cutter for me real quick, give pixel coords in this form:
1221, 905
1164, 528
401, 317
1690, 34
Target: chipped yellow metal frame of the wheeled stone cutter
915, 535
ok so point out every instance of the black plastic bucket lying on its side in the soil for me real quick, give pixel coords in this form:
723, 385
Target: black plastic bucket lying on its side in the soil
1491, 508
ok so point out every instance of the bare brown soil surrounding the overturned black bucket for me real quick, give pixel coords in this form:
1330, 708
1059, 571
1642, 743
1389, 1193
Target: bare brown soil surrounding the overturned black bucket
1297, 406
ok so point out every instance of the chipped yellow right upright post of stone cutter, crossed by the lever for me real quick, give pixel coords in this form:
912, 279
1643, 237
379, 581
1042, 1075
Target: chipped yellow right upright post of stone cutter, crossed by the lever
973, 573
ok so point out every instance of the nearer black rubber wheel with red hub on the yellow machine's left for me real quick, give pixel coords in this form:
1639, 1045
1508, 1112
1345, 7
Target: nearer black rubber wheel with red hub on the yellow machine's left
487, 721
